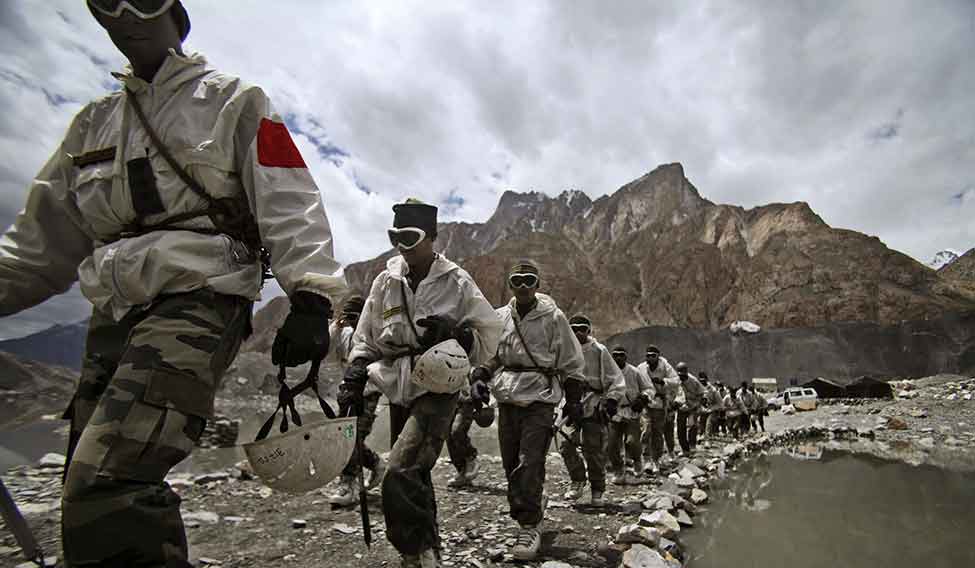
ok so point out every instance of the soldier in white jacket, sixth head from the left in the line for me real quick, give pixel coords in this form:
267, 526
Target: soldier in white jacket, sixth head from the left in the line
624, 428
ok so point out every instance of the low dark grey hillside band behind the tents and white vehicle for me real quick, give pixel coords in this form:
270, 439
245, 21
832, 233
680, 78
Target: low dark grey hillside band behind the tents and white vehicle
836, 351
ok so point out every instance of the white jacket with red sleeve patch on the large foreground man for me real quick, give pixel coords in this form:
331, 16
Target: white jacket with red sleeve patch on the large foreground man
226, 135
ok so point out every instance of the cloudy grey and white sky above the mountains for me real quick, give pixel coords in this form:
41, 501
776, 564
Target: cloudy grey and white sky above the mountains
863, 109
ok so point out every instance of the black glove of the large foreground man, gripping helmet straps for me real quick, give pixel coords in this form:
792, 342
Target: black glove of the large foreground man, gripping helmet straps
304, 335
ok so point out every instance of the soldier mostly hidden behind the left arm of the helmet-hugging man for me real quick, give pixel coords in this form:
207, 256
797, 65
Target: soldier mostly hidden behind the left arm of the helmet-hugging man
341, 332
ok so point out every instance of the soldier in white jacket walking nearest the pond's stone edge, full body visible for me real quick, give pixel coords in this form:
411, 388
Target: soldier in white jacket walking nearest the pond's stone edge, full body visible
536, 355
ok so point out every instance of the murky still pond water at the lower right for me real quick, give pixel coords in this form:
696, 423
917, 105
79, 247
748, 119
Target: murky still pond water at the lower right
832, 507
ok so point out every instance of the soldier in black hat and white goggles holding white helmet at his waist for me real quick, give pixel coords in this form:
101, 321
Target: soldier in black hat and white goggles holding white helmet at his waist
420, 301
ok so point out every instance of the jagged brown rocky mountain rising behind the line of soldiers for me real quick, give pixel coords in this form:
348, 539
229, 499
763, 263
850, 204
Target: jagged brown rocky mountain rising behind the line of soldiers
655, 252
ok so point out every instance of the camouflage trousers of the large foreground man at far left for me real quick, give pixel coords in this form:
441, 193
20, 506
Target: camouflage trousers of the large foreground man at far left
147, 387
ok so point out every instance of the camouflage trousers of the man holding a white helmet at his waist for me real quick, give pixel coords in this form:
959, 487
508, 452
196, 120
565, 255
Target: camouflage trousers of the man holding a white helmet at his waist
409, 504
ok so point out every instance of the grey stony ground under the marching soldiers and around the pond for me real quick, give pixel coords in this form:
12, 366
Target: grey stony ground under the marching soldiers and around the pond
234, 521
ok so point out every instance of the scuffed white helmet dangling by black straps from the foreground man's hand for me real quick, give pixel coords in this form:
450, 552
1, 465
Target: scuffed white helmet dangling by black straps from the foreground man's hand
304, 458
